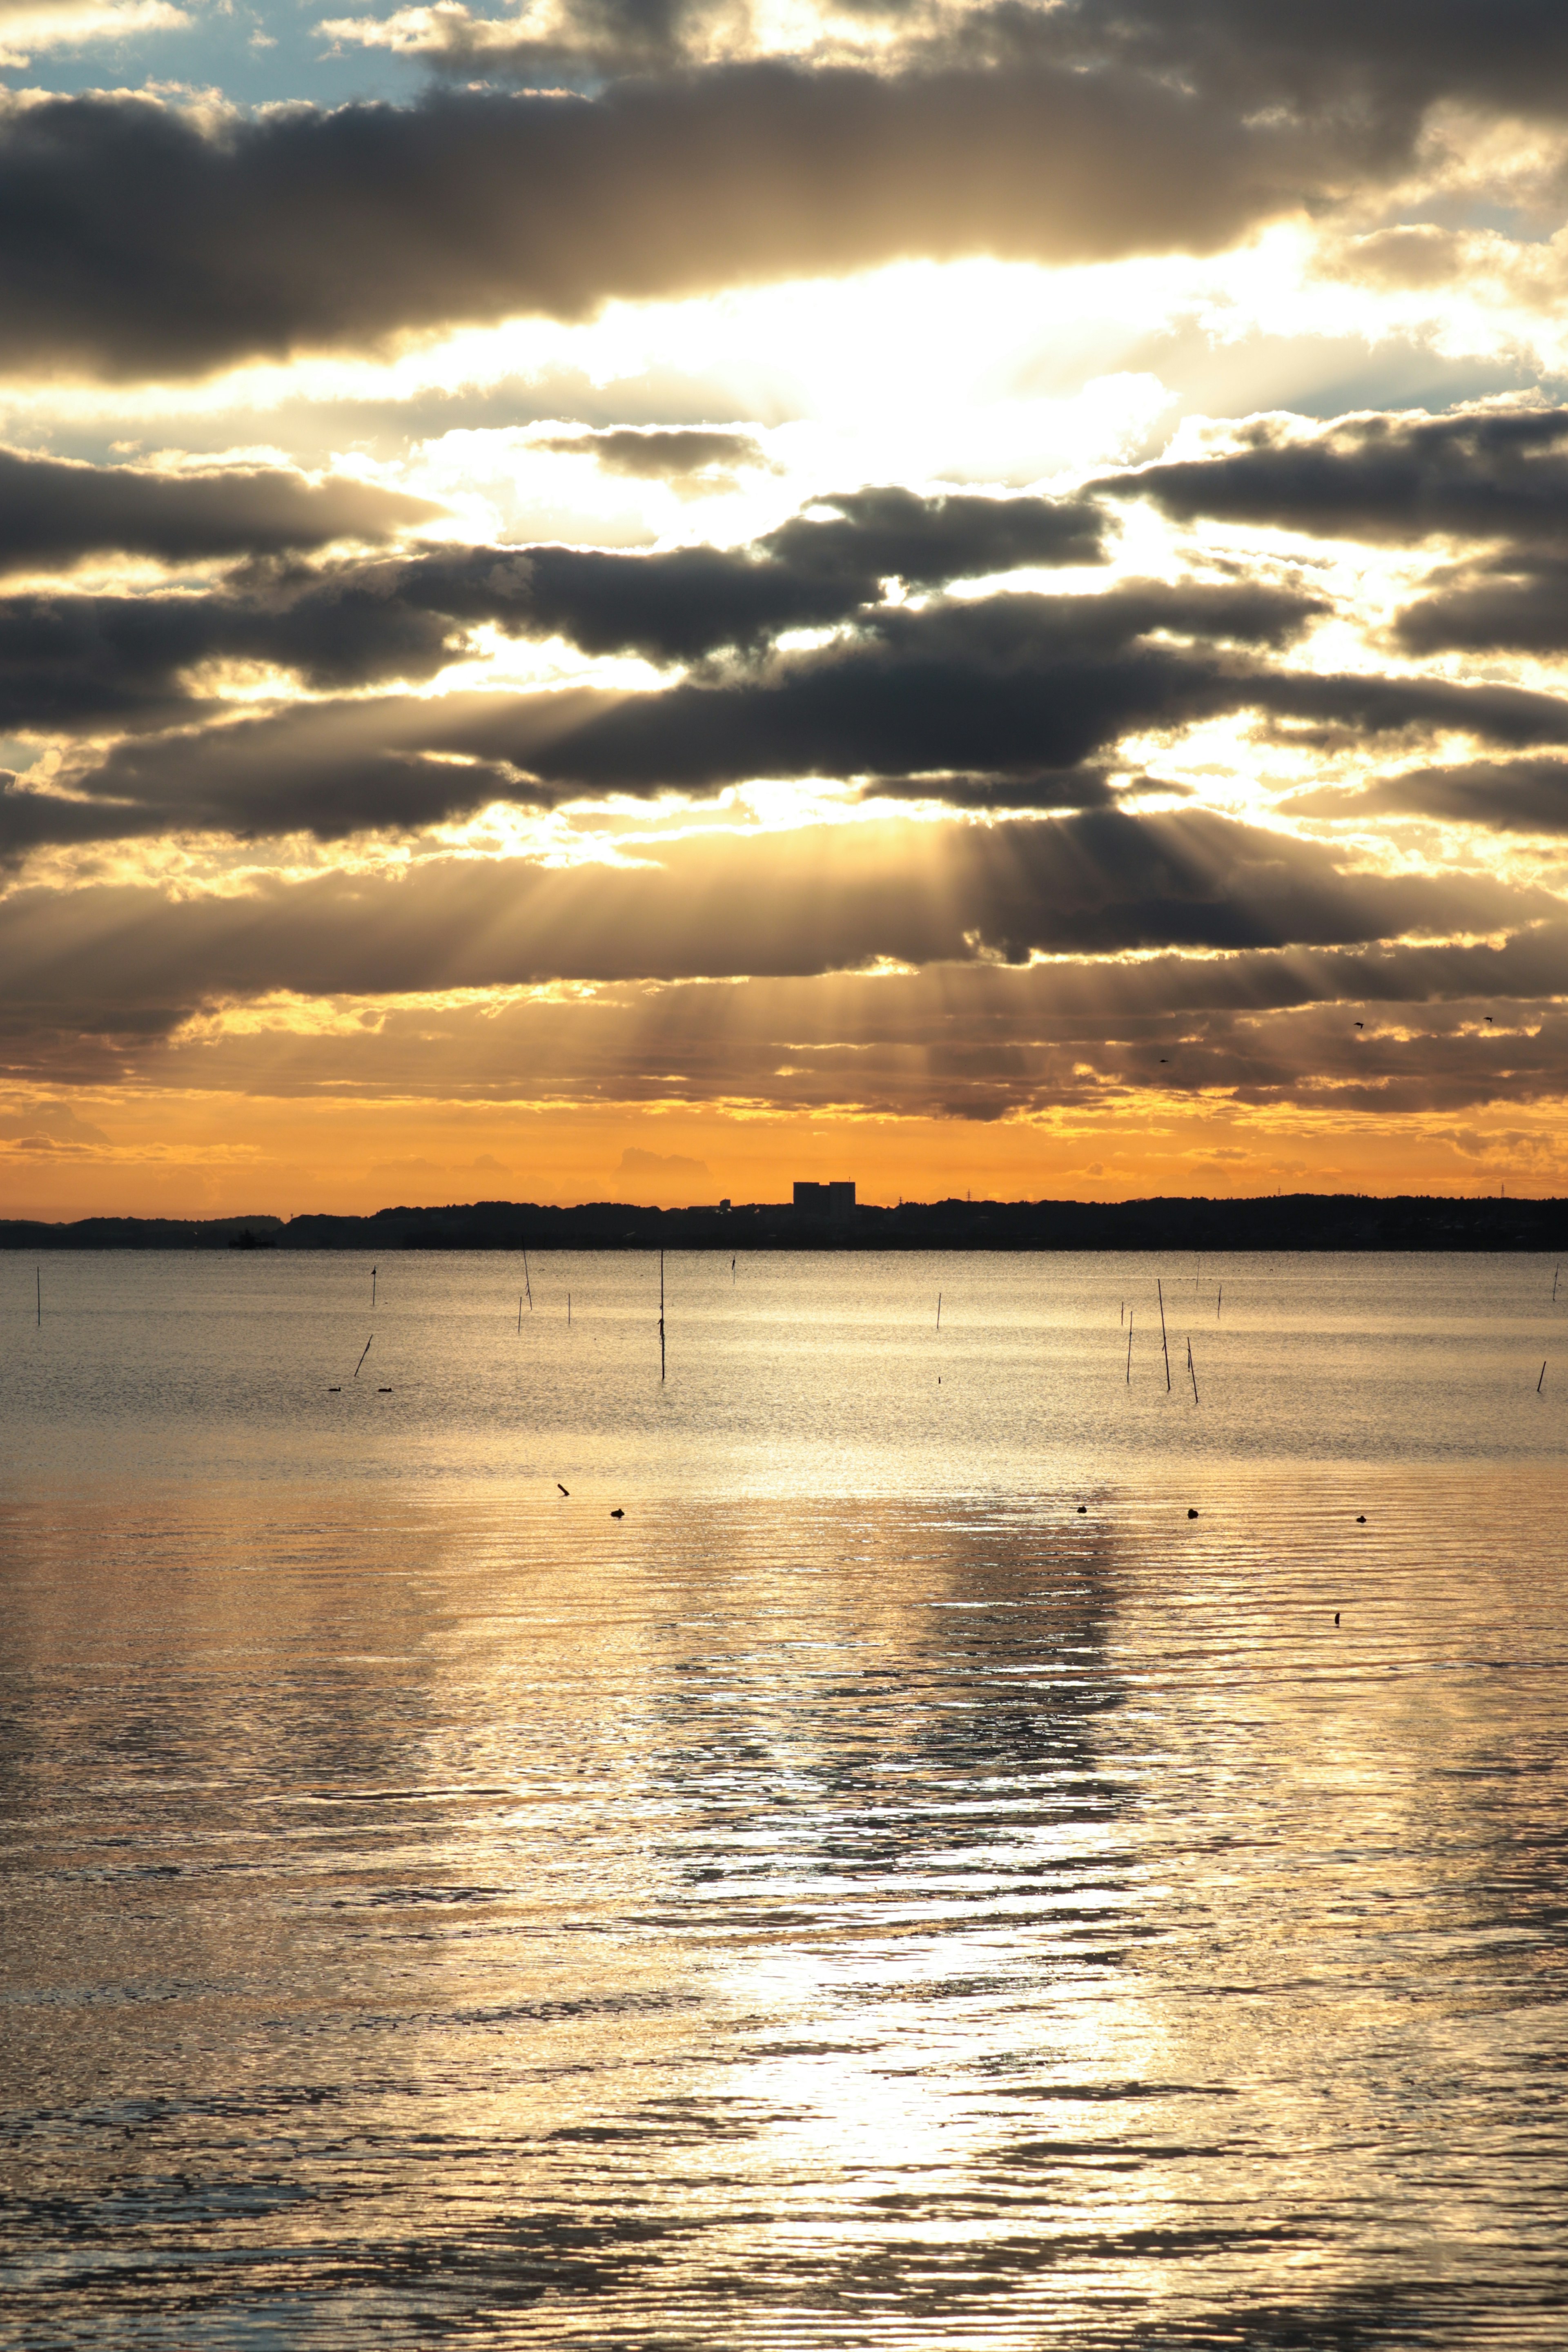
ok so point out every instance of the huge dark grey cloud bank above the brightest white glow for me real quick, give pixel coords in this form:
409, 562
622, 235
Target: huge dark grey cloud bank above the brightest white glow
138, 241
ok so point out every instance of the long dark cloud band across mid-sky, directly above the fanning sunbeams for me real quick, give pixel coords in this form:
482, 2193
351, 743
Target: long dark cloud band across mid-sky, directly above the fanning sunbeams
1010, 700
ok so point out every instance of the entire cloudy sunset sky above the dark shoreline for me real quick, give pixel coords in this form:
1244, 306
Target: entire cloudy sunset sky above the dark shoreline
638, 599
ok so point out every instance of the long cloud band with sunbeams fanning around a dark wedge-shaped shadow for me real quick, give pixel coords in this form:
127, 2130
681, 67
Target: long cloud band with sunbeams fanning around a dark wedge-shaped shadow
824, 900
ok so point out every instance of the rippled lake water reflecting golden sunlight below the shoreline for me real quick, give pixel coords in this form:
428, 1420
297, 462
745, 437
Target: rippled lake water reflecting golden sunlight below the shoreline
904, 1883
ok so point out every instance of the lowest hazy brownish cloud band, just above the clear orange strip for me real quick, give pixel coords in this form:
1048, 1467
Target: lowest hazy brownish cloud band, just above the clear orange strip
951, 1041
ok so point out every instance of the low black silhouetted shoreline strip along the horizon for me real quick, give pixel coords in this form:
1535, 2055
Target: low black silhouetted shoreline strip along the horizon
1296, 1222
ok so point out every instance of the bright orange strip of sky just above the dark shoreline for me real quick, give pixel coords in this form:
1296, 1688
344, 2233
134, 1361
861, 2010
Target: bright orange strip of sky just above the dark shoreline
243, 1156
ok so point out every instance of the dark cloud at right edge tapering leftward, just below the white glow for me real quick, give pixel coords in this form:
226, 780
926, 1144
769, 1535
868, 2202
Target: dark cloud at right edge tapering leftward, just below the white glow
1379, 479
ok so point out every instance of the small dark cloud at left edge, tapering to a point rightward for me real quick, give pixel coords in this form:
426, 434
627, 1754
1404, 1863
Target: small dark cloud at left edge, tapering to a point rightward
53, 514
